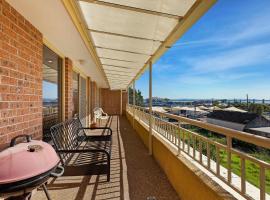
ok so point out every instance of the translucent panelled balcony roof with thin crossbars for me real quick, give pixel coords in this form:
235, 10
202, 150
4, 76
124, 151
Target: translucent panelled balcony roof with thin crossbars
127, 34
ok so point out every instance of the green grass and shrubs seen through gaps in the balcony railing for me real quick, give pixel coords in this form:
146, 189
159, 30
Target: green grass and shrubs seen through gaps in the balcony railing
252, 170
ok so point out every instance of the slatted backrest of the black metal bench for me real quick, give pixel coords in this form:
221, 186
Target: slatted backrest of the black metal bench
67, 136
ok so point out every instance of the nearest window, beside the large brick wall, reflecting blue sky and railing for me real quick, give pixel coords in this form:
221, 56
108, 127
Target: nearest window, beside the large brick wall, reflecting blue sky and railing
52, 66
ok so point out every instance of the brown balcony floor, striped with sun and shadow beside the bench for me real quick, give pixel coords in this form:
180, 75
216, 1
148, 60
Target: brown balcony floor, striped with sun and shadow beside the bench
134, 174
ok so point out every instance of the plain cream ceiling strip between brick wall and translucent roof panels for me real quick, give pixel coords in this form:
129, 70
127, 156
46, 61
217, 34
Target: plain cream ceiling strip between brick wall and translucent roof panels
52, 19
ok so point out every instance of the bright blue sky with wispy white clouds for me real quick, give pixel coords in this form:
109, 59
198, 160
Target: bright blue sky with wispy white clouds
226, 54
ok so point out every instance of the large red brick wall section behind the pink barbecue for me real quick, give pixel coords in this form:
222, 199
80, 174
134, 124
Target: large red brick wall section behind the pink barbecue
20, 76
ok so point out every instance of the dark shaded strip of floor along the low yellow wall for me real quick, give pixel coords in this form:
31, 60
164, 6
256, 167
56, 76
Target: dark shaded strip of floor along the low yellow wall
145, 177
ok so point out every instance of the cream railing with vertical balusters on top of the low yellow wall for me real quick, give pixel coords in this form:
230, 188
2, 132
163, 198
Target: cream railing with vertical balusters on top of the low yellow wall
217, 158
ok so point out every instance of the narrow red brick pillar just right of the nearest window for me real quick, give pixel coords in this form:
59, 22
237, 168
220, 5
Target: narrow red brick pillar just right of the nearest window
68, 89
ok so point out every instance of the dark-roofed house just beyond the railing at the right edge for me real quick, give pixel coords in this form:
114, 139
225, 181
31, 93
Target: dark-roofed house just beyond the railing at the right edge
248, 122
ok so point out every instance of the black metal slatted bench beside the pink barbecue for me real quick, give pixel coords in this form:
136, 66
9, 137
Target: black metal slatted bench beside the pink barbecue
70, 138
